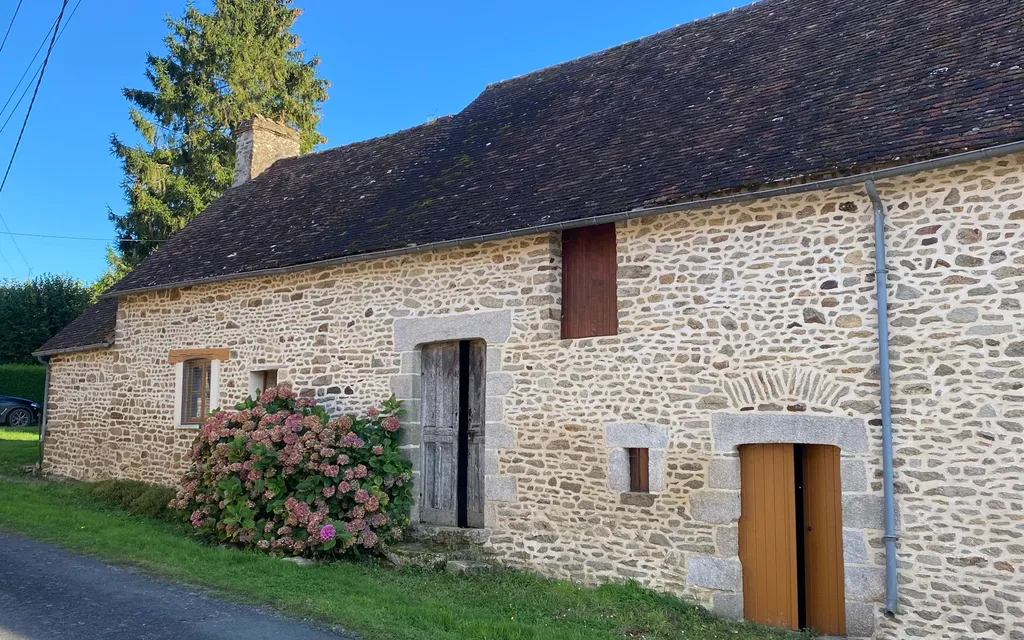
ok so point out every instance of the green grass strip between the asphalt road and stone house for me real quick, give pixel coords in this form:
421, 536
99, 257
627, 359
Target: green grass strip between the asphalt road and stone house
374, 602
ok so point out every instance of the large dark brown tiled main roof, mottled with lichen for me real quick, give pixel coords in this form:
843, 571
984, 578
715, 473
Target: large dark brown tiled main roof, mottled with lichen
780, 91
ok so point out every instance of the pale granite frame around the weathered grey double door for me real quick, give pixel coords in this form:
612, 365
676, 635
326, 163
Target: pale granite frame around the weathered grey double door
410, 336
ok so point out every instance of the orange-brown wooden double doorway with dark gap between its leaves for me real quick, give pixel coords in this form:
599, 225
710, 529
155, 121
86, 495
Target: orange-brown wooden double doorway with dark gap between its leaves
791, 537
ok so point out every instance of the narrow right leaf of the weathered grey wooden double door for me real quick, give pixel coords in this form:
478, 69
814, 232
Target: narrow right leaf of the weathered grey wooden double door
476, 402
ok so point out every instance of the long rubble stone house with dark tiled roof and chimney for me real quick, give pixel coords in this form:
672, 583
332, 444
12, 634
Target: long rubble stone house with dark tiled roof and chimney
649, 279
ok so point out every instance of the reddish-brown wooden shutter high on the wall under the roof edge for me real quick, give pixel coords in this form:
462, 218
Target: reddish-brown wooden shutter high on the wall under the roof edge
589, 295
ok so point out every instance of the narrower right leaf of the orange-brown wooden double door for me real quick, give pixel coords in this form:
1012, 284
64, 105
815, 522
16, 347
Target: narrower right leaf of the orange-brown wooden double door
825, 599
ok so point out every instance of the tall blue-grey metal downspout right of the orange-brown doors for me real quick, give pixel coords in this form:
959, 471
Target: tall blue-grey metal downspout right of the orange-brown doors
892, 598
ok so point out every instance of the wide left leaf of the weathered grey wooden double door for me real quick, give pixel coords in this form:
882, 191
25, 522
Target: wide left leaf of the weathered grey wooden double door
441, 435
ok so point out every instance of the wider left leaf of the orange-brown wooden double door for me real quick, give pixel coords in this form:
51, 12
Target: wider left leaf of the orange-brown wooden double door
769, 535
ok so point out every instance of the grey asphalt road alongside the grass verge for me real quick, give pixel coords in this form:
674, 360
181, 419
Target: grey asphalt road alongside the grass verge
47, 592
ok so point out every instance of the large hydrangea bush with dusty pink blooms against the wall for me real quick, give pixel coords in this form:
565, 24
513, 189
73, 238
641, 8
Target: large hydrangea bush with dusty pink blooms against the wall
278, 475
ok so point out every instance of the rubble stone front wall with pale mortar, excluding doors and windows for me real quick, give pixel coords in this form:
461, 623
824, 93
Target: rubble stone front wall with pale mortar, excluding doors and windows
765, 308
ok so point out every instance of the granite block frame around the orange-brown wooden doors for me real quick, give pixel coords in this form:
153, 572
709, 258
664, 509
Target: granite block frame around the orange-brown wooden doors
719, 506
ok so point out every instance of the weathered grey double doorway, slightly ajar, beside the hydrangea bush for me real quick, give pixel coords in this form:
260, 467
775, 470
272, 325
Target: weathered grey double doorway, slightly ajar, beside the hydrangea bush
453, 421
